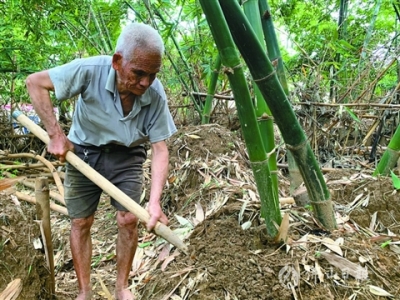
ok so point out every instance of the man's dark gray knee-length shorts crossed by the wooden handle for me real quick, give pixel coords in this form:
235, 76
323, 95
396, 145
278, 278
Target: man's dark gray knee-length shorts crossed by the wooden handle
122, 166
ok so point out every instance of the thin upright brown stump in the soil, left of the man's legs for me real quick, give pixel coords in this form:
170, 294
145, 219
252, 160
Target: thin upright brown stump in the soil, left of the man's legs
43, 211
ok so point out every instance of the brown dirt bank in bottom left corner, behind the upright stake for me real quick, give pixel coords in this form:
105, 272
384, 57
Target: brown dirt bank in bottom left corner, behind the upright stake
18, 257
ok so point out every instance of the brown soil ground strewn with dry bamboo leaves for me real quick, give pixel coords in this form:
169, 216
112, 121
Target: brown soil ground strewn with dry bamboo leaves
212, 204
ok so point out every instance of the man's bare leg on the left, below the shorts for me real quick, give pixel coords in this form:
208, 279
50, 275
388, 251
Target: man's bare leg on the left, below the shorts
81, 248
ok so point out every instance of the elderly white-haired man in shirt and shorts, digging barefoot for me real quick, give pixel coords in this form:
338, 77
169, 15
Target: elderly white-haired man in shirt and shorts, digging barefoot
121, 105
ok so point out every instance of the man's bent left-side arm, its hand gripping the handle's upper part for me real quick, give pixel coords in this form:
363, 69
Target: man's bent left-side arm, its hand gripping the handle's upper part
39, 85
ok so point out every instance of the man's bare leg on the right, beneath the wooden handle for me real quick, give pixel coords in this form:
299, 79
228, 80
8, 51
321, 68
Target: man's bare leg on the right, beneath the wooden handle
126, 248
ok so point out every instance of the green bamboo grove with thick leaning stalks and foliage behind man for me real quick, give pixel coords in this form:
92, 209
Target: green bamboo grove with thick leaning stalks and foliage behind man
343, 54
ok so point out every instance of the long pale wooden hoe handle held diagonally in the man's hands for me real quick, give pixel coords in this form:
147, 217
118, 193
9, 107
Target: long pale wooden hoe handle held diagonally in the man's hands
160, 229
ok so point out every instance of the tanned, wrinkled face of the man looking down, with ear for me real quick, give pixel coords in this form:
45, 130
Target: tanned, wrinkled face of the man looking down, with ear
135, 76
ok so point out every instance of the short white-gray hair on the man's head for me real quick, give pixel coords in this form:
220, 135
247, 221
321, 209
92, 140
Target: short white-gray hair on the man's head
138, 35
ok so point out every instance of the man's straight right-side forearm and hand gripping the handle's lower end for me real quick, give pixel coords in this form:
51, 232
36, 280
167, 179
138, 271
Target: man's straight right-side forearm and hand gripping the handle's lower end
159, 172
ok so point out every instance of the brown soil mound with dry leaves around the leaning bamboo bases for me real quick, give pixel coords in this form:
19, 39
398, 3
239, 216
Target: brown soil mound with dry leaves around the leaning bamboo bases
227, 262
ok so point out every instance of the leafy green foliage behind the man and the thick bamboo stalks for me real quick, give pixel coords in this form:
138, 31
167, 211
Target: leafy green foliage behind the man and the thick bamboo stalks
36, 35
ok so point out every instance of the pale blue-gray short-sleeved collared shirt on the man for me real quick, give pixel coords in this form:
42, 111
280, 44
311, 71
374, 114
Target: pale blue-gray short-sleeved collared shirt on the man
98, 117
